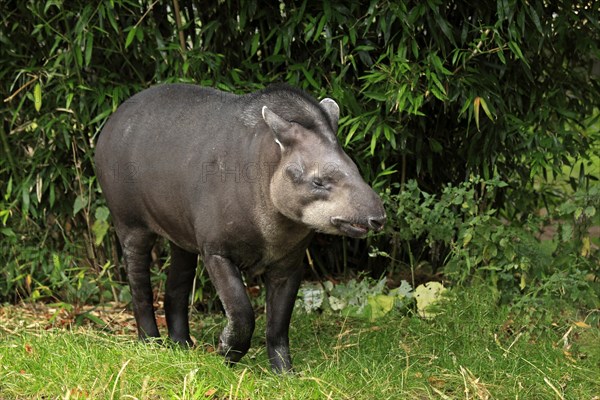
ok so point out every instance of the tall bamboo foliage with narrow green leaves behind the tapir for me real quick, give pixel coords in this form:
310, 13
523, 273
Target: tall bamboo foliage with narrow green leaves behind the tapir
430, 90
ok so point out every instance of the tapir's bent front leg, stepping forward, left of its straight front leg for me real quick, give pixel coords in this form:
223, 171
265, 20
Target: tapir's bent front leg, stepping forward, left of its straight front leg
235, 338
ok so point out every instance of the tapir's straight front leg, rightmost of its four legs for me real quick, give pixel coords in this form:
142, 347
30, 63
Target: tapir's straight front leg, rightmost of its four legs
282, 287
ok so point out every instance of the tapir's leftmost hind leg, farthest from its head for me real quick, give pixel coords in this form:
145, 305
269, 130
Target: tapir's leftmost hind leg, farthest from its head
137, 246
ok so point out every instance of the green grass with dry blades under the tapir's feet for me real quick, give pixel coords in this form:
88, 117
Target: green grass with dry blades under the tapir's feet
475, 349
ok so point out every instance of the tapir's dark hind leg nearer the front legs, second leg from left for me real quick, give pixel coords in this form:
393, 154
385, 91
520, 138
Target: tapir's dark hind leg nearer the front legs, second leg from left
179, 285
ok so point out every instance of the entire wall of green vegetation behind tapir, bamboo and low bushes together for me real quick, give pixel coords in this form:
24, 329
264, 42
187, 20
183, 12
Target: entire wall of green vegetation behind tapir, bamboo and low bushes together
463, 115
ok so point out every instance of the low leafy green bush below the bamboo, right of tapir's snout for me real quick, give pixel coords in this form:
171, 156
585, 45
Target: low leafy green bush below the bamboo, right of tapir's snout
507, 254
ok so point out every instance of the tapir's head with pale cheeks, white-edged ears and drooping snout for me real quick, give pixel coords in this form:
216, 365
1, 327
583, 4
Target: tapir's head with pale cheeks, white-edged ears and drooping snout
315, 182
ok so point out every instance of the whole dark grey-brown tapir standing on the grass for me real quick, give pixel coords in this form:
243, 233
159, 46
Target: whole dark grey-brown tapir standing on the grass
241, 181
